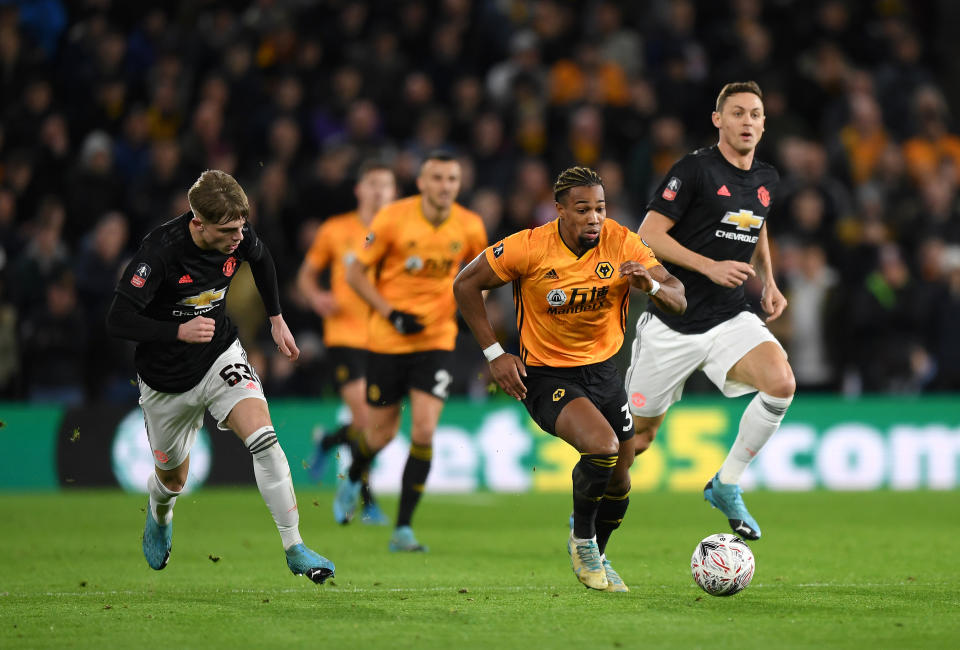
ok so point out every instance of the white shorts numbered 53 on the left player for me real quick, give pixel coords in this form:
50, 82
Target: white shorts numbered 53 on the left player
173, 419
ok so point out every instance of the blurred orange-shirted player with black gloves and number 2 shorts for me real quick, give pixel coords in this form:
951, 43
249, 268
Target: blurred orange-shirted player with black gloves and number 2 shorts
416, 247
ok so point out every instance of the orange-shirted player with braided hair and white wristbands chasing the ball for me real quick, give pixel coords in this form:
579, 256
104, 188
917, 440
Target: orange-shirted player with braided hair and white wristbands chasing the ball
571, 280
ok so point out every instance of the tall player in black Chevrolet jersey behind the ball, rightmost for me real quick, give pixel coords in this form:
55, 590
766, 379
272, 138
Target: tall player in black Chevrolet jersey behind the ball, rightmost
707, 224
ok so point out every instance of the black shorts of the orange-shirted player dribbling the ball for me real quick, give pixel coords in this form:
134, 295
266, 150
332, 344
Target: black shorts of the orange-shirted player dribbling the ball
550, 389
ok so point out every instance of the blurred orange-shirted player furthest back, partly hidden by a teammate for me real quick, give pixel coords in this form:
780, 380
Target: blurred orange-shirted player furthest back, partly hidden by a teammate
345, 315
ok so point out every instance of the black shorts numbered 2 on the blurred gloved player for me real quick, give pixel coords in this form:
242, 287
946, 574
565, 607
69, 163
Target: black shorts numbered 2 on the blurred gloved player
391, 376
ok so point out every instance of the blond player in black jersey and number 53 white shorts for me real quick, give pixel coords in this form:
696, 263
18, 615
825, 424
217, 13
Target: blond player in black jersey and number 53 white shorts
171, 300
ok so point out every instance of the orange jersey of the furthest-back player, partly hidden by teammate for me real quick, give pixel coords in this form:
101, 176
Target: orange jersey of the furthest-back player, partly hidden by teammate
335, 245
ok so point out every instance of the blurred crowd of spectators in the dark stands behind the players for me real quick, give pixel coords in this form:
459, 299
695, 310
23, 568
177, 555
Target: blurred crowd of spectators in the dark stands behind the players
111, 109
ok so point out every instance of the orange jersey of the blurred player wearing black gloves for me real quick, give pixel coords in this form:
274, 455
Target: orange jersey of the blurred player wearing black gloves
415, 263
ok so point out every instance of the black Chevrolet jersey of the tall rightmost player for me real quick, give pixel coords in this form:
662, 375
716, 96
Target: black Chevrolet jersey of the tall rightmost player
718, 210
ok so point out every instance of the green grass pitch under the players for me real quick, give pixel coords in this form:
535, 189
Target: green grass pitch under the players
834, 570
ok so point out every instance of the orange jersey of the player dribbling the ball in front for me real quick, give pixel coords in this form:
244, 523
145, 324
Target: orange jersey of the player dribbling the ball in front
571, 311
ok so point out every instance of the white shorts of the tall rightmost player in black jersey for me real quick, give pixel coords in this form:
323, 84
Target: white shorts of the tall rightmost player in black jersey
662, 359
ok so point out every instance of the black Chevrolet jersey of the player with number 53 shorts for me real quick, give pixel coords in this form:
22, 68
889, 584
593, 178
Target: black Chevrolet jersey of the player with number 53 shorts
171, 279
